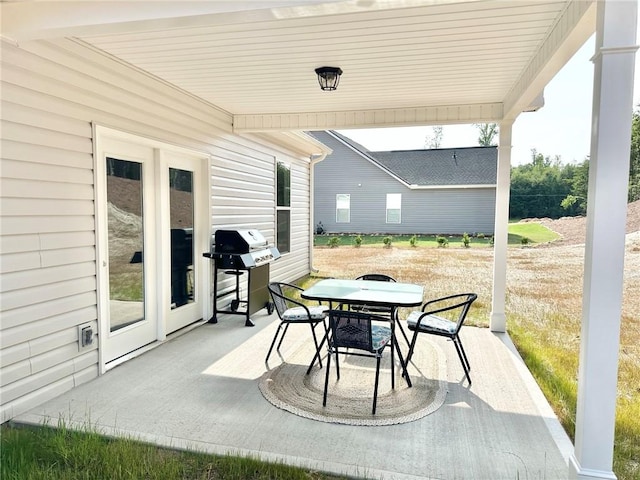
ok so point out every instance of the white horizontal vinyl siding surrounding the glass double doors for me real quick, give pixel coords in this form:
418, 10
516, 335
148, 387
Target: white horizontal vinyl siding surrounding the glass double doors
52, 92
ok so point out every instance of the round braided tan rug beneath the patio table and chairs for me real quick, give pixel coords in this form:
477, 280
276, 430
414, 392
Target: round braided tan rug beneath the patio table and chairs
350, 399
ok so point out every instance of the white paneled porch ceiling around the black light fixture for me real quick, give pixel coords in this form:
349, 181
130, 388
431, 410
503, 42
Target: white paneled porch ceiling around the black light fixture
485, 58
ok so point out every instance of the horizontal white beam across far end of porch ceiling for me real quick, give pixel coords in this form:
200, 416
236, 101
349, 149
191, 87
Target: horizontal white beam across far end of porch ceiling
391, 117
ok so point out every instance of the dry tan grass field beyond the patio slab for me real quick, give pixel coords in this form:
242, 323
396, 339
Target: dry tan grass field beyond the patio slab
544, 308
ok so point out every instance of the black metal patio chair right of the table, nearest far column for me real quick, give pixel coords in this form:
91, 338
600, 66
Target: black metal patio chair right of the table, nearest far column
431, 319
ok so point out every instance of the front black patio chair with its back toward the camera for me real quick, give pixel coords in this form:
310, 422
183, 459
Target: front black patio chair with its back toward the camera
355, 331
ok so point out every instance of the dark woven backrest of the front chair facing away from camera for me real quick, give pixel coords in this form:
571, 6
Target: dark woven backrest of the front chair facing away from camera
351, 329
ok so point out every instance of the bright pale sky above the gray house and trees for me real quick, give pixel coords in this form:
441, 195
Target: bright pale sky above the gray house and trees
561, 128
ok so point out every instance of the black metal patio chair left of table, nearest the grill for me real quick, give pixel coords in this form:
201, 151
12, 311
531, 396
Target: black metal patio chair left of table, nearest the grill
293, 311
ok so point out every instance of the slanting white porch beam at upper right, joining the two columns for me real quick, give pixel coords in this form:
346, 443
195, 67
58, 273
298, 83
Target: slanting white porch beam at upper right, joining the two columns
576, 25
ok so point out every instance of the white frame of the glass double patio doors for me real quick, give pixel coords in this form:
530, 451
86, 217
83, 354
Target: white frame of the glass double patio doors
157, 302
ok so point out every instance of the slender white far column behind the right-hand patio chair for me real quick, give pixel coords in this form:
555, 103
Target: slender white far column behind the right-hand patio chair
498, 321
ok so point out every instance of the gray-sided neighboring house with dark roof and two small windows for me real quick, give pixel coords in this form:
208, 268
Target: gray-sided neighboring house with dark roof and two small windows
440, 191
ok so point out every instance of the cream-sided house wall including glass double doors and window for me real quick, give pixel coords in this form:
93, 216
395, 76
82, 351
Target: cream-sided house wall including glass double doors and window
101, 164
